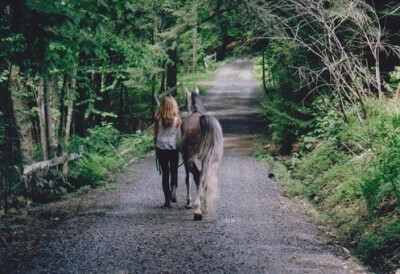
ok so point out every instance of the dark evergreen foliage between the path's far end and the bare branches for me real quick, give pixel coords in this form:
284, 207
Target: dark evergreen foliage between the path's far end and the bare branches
288, 105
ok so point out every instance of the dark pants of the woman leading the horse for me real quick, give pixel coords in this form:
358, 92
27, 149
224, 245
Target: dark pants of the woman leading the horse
168, 160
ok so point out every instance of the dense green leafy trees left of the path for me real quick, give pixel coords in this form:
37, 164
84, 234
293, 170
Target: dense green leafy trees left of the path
71, 66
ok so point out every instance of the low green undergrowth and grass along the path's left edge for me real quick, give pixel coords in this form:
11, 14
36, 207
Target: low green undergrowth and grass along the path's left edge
106, 151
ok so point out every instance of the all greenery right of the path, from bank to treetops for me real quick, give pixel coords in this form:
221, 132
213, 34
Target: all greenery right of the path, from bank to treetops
348, 157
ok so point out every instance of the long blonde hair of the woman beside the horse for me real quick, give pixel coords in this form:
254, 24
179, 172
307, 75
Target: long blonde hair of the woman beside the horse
167, 111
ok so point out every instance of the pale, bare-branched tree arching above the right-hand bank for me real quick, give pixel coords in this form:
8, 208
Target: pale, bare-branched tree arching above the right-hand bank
335, 37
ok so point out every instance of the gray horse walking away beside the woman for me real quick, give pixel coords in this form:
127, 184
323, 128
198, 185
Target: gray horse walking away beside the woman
201, 138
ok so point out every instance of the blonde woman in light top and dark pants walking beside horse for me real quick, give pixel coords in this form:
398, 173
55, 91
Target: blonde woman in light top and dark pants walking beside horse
166, 125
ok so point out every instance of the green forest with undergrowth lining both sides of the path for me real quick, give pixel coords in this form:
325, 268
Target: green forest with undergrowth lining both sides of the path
80, 78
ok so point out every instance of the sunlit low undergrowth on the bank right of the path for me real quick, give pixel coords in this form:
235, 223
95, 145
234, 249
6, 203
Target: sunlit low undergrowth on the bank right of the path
351, 174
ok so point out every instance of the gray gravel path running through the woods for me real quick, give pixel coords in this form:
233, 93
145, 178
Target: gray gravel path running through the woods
256, 229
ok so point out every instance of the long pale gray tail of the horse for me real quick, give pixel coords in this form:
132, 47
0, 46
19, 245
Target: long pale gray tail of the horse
211, 150
